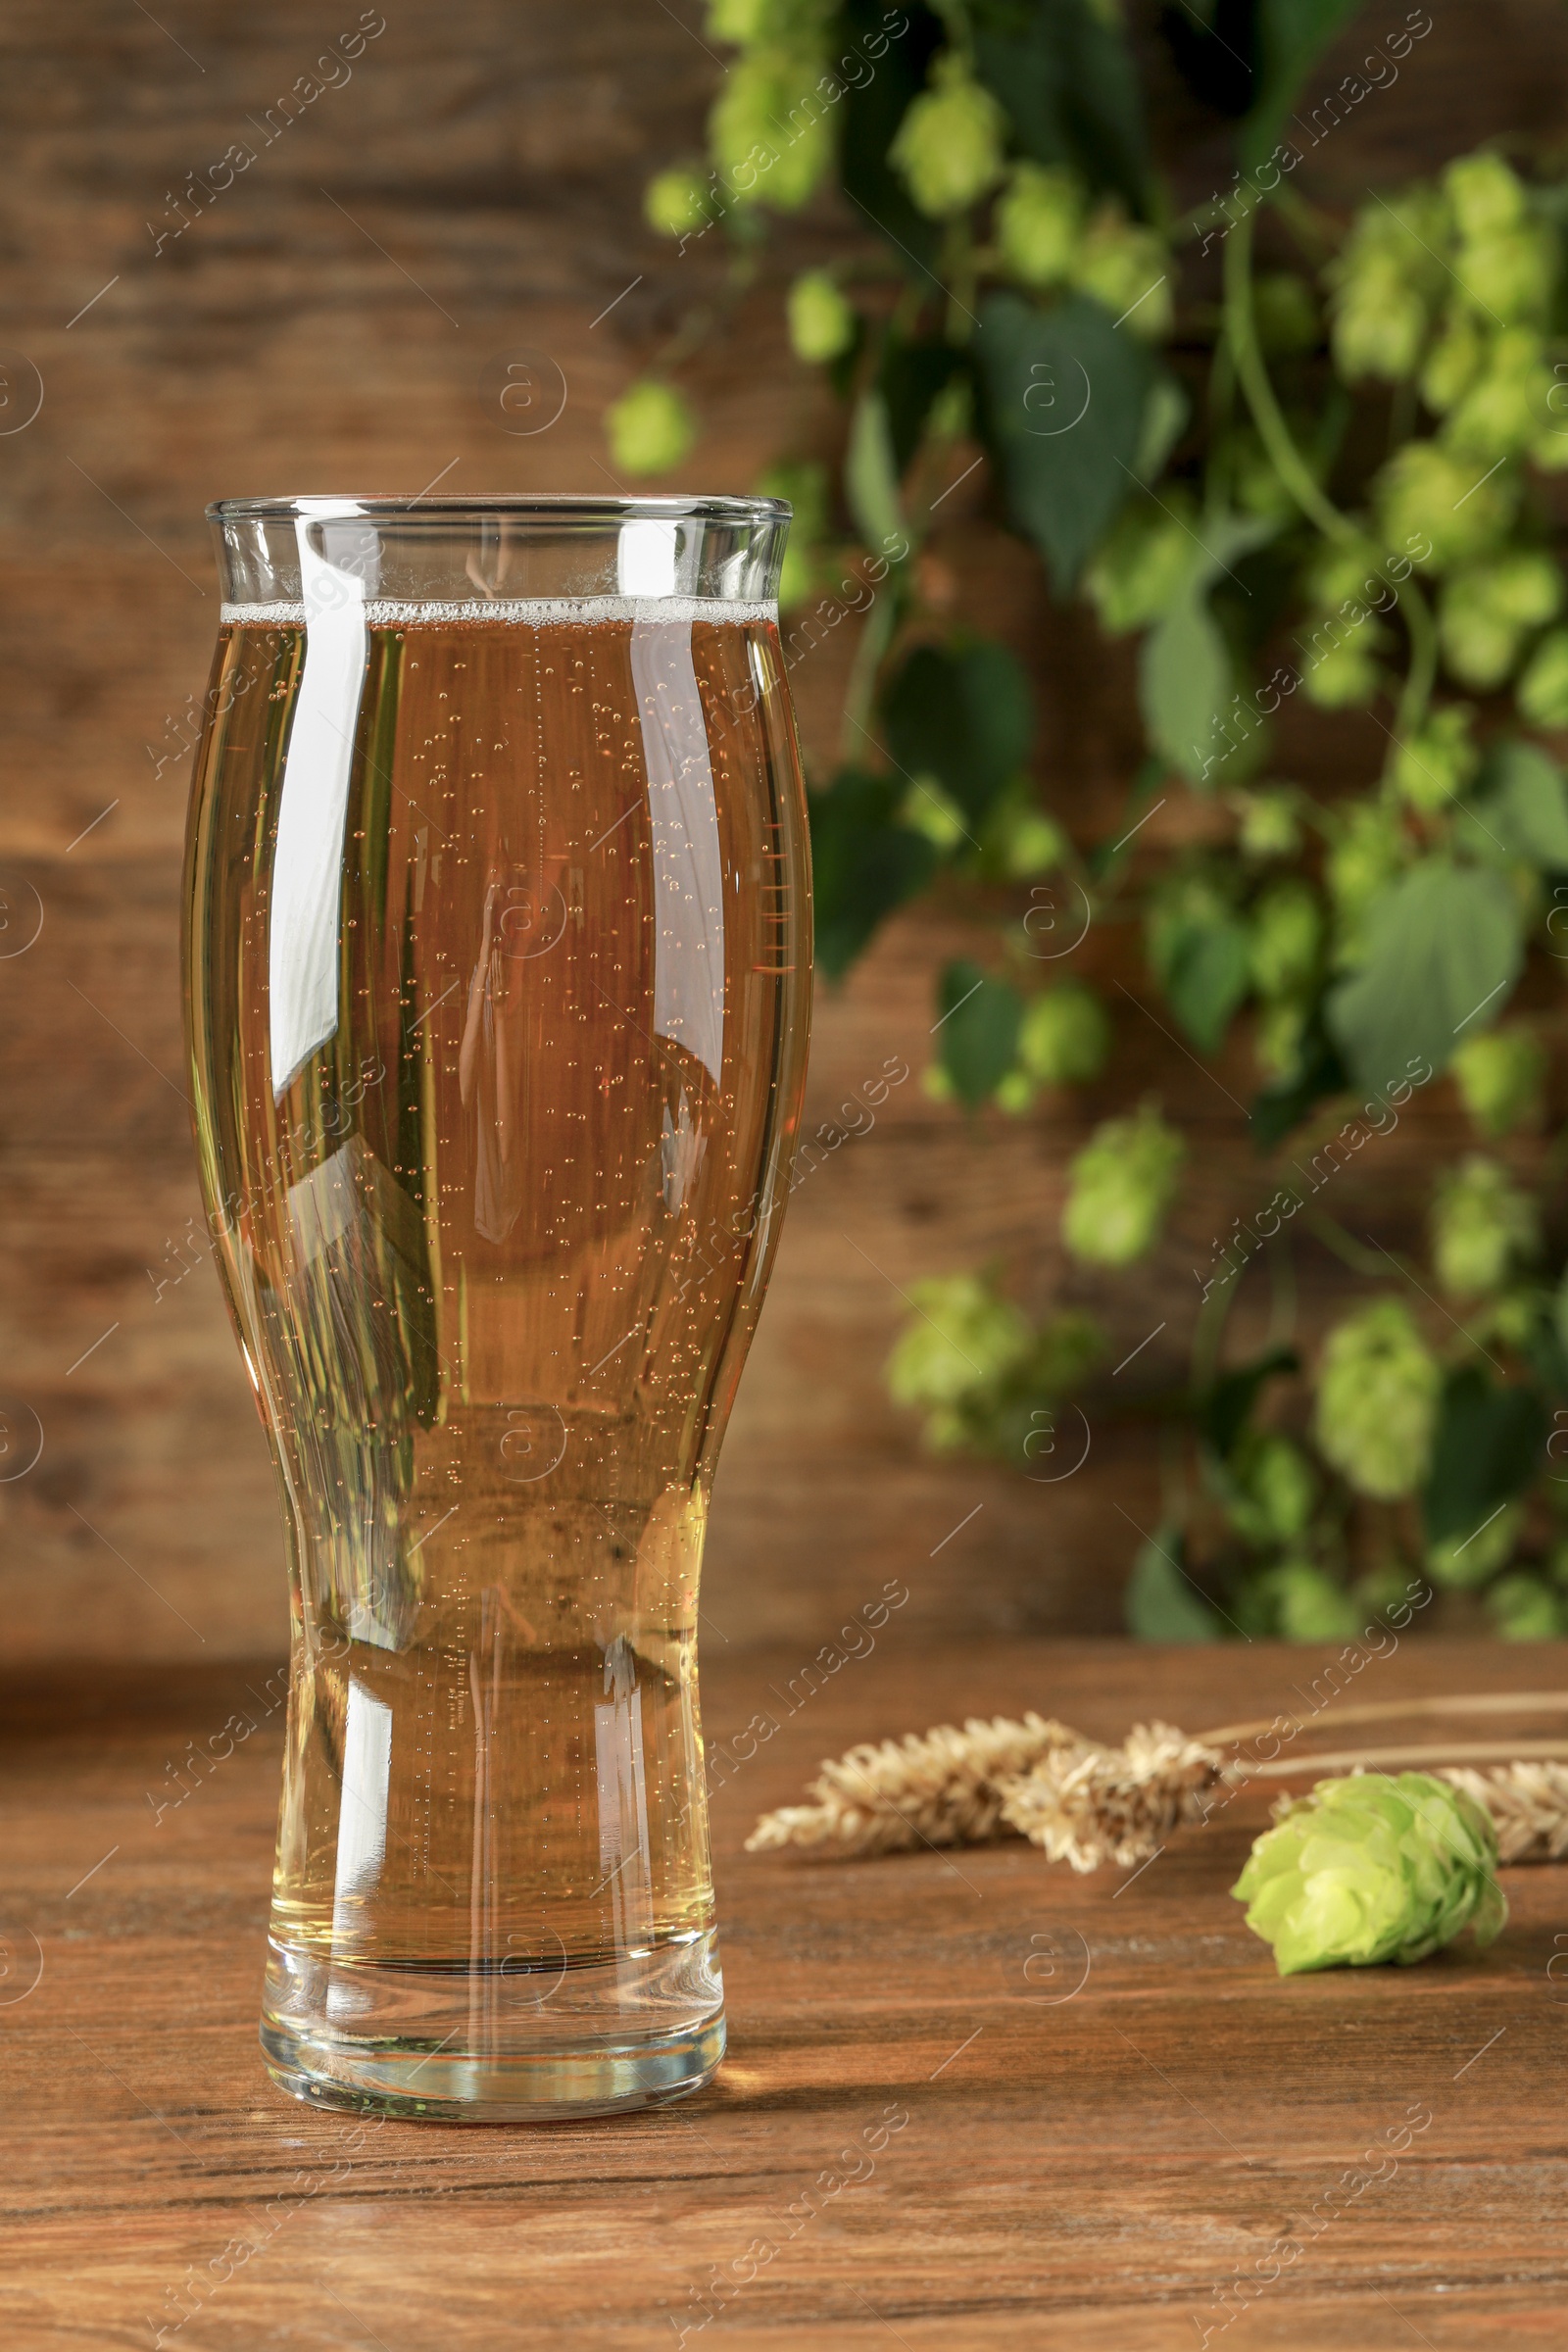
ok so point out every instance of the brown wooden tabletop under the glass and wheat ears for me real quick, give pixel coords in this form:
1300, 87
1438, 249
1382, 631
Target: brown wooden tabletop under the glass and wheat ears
972, 2102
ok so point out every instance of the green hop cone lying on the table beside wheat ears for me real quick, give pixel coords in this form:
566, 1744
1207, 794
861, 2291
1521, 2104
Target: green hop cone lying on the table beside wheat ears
1374, 1869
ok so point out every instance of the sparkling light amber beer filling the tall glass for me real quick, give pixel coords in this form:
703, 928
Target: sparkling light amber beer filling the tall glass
497, 1252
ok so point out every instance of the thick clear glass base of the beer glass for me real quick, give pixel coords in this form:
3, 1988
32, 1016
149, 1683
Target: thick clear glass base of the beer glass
469, 2045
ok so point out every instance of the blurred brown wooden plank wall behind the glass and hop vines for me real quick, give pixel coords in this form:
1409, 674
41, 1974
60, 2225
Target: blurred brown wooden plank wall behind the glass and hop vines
476, 187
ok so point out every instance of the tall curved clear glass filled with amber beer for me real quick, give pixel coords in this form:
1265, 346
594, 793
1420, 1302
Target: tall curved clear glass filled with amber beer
497, 965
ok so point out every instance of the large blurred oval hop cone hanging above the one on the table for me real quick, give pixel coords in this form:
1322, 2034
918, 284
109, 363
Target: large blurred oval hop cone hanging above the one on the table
1376, 1403
